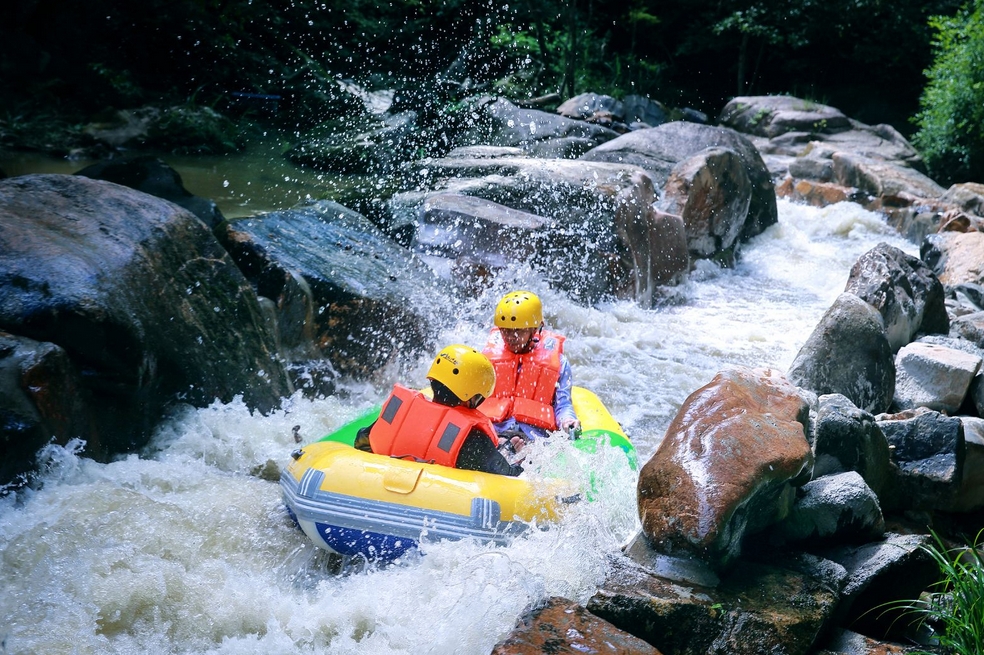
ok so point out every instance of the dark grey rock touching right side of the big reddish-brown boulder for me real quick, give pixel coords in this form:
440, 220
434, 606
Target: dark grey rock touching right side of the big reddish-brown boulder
848, 439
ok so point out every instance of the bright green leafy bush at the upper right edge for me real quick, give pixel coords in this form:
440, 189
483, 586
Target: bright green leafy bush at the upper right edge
951, 119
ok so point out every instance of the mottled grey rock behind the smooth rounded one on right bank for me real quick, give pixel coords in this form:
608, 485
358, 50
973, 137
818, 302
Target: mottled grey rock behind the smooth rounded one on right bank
905, 291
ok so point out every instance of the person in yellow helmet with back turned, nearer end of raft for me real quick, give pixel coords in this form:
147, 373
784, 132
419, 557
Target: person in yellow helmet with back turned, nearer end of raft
447, 429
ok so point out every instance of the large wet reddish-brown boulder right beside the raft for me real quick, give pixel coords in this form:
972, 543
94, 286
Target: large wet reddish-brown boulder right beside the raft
726, 467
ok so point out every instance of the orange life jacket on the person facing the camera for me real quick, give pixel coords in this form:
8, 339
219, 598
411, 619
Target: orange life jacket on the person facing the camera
524, 384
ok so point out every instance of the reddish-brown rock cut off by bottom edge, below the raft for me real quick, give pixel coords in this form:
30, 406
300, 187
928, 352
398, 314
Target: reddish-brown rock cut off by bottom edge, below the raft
561, 626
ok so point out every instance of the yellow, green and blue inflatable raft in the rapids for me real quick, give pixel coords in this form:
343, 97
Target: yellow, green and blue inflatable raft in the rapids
355, 503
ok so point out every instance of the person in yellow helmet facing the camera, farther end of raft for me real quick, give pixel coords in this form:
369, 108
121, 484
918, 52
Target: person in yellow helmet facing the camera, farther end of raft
532, 394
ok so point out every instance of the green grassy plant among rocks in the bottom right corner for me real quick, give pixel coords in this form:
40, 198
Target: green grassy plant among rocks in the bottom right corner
954, 610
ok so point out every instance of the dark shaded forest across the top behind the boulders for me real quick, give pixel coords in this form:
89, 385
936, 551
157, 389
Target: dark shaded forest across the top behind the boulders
66, 60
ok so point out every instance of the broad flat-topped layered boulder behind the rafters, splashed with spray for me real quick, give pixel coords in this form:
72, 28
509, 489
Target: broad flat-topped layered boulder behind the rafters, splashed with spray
588, 228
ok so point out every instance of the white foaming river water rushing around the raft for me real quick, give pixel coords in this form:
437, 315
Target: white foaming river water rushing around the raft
180, 549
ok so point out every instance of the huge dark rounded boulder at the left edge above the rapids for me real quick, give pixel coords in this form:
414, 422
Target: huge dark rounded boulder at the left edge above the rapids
145, 302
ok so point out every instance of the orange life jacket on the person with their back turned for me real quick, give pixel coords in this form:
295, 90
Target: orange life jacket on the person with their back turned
412, 425
